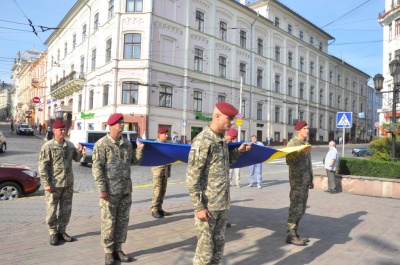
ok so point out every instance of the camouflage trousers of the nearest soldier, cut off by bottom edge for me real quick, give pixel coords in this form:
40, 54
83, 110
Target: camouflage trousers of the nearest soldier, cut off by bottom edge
210, 238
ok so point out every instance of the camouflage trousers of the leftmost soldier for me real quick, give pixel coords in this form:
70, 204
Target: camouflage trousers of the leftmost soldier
59, 198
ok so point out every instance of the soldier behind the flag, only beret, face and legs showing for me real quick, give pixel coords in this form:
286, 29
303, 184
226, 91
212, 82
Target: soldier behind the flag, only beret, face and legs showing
160, 180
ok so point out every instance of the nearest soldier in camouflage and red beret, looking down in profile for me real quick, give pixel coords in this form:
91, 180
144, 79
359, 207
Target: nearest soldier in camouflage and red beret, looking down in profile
207, 178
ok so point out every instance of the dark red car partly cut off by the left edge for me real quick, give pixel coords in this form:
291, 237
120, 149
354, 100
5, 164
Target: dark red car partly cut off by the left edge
17, 180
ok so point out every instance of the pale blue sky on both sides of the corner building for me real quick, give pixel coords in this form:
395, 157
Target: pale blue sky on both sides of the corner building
353, 24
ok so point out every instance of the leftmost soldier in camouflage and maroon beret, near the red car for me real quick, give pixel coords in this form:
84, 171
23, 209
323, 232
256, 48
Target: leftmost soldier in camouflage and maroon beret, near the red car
55, 170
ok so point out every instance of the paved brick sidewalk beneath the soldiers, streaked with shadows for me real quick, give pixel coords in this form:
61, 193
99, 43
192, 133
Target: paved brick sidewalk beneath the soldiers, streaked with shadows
343, 229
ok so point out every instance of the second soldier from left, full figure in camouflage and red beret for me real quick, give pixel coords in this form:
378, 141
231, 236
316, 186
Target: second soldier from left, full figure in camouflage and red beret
112, 159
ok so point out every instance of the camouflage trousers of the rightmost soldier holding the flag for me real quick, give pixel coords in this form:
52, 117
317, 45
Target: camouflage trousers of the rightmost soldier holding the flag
297, 208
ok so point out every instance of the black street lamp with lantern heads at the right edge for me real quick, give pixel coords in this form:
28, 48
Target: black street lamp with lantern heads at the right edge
394, 67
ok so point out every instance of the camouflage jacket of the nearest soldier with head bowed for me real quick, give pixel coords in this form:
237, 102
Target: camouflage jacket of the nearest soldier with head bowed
207, 175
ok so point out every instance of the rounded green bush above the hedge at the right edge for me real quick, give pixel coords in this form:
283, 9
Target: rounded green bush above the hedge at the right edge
381, 148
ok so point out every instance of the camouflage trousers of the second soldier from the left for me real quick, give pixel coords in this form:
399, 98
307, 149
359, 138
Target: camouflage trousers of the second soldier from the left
114, 221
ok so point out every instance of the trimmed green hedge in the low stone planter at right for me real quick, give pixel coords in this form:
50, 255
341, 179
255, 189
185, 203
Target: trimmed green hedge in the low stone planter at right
368, 167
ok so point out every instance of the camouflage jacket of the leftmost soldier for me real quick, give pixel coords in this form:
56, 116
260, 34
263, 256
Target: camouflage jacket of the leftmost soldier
55, 163
